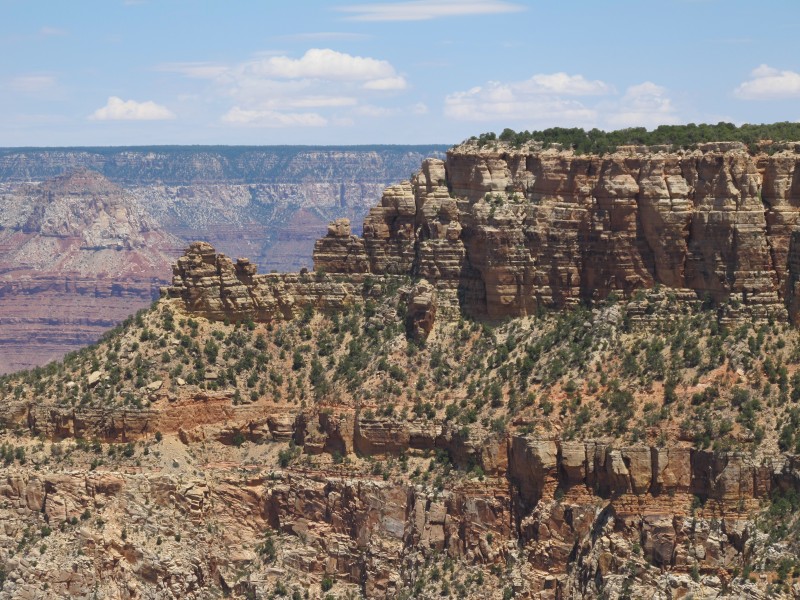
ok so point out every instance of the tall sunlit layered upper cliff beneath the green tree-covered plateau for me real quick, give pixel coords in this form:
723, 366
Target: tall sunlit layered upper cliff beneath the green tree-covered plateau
503, 231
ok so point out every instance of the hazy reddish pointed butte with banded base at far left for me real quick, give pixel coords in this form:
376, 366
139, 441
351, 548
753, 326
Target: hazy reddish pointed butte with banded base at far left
78, 255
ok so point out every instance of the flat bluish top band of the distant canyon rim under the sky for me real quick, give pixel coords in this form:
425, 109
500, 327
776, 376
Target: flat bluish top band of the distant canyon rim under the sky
190, 165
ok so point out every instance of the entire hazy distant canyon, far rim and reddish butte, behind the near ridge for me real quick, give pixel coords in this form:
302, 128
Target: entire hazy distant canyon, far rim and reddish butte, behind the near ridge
266, 203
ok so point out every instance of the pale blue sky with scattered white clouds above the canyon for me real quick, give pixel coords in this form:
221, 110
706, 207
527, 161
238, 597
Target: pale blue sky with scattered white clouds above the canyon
144, 72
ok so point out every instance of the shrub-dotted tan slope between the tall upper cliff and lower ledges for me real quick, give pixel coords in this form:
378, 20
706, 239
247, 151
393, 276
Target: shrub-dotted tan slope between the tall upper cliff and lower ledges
654, 369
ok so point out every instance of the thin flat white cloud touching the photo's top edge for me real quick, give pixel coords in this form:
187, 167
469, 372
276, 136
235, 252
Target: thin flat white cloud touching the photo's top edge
424, 10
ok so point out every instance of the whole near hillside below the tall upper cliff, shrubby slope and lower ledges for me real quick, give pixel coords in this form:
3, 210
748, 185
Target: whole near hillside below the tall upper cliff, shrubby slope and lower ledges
633, 448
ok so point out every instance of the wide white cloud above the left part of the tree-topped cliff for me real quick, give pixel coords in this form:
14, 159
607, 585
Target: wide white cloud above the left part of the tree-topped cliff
538, 99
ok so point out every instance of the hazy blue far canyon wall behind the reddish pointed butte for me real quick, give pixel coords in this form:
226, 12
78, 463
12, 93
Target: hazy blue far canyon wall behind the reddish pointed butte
266, 203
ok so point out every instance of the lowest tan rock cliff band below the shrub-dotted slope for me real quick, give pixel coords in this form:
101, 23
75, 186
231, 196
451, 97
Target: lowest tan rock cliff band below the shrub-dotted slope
567, 518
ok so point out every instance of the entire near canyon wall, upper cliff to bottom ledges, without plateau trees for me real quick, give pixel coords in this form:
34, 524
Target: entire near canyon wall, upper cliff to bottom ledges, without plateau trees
534, 374
